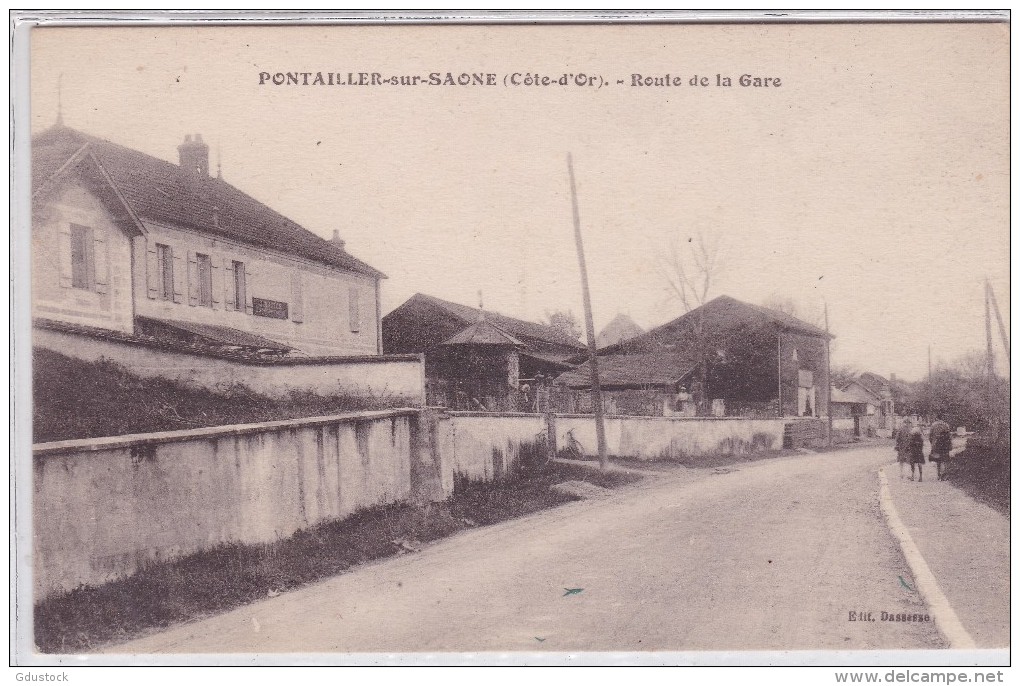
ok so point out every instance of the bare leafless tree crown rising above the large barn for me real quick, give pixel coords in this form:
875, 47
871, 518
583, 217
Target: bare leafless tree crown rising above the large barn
691, 268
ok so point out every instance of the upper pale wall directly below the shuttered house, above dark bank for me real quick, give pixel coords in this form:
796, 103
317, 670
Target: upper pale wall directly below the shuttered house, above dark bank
398, 378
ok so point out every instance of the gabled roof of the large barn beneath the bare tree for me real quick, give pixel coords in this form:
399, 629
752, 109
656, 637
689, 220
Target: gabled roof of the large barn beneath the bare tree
720, 314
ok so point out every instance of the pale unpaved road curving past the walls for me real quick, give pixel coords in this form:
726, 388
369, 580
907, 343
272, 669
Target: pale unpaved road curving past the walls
768, 556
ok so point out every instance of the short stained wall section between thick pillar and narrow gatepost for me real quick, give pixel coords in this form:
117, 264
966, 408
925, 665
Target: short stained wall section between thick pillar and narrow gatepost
483, 447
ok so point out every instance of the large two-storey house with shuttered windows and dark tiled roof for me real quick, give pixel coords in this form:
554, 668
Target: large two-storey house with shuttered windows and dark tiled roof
133, 244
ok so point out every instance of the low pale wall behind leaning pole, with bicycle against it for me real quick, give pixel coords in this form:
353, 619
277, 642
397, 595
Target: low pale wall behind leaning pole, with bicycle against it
673, 438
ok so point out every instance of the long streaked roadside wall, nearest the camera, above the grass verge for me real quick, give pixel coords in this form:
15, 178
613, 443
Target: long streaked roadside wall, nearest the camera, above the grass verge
105, 508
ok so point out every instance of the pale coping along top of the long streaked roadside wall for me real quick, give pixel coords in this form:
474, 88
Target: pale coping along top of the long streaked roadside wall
136, 440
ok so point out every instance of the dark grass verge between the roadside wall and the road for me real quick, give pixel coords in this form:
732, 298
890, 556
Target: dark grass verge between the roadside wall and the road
229, 576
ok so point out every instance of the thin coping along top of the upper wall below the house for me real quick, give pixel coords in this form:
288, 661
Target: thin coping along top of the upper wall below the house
156, 344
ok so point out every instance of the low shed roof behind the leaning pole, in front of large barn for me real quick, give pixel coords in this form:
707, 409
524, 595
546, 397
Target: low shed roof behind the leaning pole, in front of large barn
632, 372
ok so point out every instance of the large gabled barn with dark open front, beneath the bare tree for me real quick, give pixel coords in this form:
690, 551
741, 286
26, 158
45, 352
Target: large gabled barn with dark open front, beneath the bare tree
731, 358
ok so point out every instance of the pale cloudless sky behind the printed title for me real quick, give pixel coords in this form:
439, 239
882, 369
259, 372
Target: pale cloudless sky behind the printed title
875, 179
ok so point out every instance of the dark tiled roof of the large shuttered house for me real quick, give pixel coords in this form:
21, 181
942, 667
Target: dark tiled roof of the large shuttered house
162, 191
